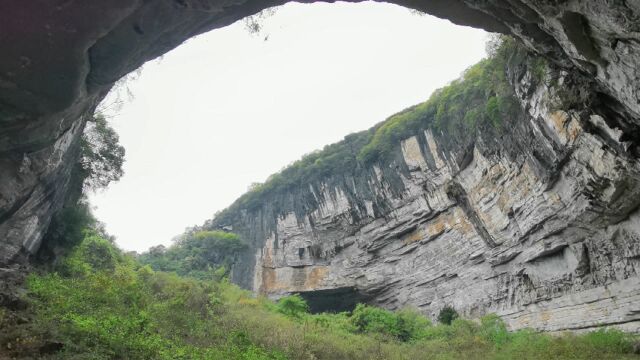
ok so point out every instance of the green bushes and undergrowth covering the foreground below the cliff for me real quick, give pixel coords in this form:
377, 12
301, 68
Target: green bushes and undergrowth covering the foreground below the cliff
102, 304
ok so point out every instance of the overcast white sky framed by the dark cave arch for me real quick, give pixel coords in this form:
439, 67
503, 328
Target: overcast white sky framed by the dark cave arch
228, 108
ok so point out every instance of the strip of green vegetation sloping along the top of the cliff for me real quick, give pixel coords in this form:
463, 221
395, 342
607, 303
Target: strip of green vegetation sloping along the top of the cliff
481, 97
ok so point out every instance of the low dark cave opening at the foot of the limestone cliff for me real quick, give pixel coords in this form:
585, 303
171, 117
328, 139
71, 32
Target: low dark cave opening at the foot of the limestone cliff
334, 300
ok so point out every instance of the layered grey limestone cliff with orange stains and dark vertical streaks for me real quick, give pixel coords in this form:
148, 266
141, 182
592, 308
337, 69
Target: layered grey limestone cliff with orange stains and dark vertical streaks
537, 221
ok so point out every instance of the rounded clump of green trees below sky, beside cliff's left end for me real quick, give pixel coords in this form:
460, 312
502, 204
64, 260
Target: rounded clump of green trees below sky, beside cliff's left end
198, 254
